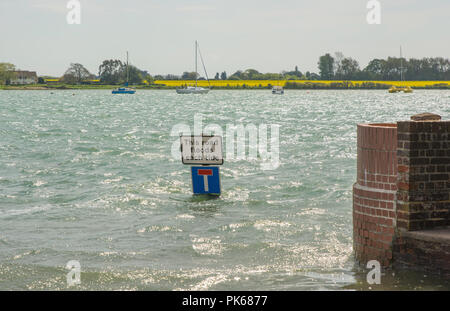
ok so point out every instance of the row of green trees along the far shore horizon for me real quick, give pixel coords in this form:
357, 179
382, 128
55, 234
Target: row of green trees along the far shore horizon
337, 67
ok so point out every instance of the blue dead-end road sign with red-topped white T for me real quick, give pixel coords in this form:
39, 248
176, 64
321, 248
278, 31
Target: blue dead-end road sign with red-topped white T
205, 180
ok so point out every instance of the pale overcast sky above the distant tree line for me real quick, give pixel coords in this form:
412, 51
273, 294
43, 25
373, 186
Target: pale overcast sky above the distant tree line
269, 36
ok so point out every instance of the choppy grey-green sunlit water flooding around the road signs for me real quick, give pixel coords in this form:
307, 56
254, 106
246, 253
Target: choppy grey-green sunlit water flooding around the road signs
90, 177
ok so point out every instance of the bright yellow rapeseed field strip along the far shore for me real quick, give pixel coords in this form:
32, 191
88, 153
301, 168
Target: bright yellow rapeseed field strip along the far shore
265, 83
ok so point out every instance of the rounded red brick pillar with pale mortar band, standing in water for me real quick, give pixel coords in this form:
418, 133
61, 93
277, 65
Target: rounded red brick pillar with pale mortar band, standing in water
374, 193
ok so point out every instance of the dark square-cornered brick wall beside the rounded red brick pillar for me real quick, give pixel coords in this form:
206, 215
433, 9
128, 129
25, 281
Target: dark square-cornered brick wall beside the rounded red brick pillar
423, 198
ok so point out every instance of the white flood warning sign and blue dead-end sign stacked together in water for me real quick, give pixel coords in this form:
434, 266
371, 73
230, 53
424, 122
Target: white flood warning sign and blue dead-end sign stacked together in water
205, 151
